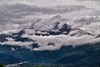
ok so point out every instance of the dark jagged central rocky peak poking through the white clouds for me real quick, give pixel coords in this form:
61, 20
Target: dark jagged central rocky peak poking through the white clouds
56, 30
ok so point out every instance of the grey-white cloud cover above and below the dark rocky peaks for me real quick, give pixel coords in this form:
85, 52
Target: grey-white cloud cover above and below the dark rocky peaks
19, 14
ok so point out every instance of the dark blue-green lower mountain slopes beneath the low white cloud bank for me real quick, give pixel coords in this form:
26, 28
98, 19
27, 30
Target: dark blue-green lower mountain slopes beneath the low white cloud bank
85, 55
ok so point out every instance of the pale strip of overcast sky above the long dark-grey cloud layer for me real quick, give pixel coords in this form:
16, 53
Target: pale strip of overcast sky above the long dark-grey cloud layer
89, 3
